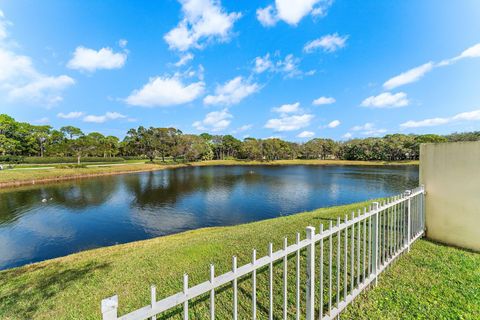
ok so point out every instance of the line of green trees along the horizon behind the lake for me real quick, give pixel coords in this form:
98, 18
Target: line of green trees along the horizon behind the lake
24, 139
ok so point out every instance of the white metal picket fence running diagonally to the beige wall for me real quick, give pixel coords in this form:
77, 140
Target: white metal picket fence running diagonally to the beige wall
336, 273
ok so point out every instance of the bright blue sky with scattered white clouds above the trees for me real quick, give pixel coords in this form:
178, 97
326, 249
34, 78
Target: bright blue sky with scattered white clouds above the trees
290, 69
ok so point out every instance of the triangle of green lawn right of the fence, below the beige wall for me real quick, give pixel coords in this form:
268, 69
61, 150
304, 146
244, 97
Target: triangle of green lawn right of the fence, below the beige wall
433, 281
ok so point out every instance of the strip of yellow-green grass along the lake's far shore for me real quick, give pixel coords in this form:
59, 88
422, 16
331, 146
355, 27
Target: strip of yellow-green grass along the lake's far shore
37, 174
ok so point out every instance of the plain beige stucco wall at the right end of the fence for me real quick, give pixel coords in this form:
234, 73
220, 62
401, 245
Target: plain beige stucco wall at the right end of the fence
451, 175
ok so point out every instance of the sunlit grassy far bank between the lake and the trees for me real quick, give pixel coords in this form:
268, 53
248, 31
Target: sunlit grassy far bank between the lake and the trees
61, 175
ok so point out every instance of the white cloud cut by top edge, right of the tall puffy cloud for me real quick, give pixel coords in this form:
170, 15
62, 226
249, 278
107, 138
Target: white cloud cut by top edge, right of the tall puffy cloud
291, 12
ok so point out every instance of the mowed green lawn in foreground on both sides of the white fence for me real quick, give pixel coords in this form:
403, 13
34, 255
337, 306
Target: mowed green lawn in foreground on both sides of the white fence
431, 282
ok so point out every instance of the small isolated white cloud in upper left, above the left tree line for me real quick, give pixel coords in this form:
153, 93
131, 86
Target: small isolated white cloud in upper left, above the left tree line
90, 60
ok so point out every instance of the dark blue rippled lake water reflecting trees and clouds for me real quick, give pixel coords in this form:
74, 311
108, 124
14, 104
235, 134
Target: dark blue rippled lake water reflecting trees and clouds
98, 212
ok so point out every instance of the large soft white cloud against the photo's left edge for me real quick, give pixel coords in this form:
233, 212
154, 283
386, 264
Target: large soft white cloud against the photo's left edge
21, 81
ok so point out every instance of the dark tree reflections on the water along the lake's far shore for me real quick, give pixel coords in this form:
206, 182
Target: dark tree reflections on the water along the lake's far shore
166, 188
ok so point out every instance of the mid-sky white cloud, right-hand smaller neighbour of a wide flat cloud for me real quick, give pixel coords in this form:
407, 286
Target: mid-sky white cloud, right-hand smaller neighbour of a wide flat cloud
232, 92
